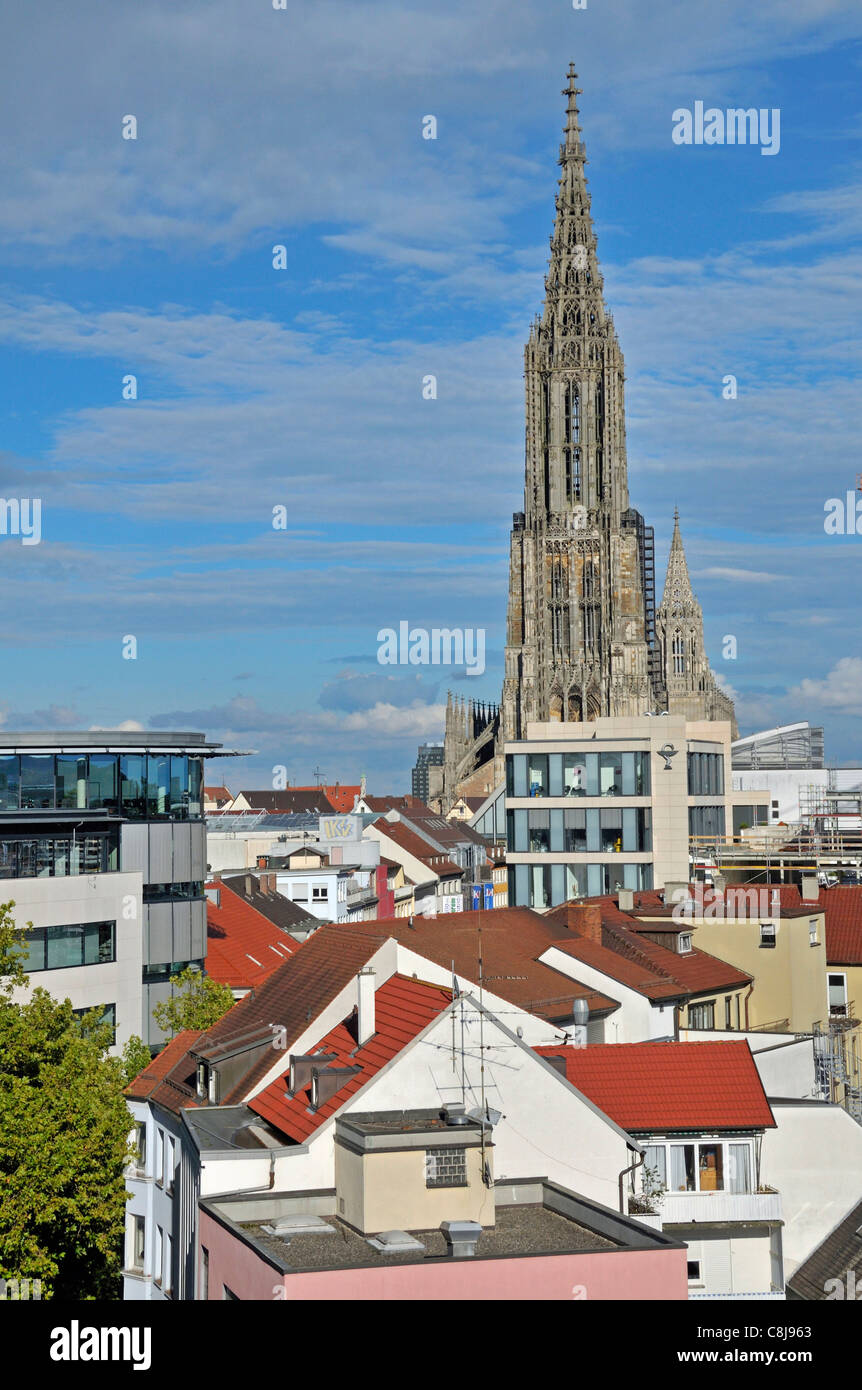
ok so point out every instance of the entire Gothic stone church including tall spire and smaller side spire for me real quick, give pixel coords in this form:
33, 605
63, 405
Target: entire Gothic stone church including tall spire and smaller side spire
583, 636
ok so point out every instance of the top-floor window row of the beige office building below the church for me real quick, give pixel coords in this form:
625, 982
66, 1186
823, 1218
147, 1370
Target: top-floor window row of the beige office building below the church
578, 775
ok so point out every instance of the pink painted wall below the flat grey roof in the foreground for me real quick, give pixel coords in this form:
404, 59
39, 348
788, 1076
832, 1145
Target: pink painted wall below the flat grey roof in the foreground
621, 1275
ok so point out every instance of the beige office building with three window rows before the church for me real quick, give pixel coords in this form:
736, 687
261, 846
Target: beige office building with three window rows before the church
612, 804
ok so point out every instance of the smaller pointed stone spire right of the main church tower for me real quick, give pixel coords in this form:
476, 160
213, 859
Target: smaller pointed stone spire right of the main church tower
688, 685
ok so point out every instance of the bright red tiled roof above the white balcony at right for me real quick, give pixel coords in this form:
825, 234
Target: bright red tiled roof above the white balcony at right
651, 1088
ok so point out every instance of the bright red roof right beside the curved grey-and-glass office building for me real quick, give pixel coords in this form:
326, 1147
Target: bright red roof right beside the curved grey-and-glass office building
243, 946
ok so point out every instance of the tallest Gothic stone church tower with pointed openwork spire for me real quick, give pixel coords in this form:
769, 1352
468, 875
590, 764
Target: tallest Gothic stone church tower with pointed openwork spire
576, 635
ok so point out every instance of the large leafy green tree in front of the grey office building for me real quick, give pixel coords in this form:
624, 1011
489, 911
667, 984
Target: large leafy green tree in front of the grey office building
65, 1140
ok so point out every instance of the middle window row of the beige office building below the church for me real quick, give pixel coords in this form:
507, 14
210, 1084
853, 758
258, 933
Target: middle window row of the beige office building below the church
592, 831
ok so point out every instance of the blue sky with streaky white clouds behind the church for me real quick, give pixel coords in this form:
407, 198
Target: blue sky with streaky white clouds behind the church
407, 258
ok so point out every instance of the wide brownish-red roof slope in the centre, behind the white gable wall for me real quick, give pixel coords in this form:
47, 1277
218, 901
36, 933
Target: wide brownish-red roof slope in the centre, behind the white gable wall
512, 942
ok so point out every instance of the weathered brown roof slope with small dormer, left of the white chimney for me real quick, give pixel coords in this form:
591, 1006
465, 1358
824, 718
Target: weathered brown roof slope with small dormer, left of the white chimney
291, 999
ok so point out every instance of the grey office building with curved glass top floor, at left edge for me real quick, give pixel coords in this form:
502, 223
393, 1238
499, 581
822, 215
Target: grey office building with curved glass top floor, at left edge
104, 851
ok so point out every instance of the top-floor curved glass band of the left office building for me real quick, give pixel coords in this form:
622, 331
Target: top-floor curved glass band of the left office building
134, 786
